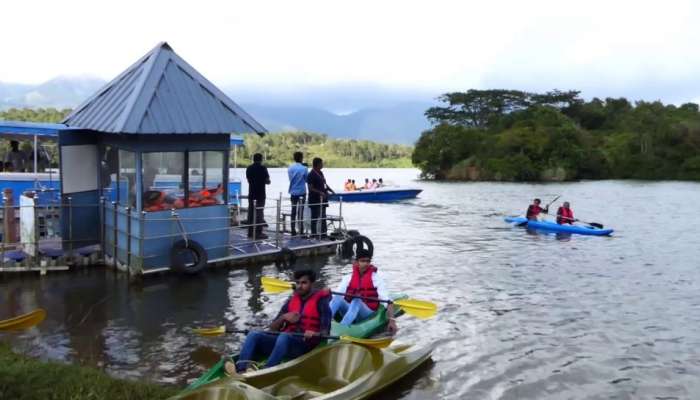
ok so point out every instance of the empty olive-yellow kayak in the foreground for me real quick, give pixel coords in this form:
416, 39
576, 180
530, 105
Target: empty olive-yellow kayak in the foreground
341, 371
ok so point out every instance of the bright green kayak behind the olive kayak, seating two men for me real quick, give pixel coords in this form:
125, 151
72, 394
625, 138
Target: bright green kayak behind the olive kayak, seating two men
364, 329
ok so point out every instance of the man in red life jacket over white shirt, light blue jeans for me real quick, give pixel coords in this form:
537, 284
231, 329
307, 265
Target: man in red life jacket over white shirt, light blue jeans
364, 281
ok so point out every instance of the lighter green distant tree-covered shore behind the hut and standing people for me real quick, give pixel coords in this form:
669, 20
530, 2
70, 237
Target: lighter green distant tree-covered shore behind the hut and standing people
277, 148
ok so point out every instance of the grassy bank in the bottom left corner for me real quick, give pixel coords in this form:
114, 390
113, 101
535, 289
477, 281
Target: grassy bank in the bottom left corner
24, 378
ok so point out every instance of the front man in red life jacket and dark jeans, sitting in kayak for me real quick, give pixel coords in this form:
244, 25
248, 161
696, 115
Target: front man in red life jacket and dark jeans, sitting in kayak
306, 311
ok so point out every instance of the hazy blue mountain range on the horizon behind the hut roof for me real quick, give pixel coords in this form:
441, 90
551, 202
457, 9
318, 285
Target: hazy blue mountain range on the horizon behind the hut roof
342, 111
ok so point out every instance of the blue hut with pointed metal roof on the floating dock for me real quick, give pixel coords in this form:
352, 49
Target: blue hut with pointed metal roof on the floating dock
150, 164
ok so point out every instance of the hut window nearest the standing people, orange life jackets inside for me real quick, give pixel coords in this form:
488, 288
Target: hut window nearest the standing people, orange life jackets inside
206, 178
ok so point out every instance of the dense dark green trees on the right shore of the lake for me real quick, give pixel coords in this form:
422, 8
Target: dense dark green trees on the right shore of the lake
511, 135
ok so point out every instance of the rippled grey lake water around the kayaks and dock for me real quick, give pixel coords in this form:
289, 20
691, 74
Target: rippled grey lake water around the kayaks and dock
523, 316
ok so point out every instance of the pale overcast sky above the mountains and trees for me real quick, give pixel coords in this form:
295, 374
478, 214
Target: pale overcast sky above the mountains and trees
605, 48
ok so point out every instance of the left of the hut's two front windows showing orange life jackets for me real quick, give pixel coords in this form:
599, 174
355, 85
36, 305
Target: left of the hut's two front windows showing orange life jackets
163, 183
